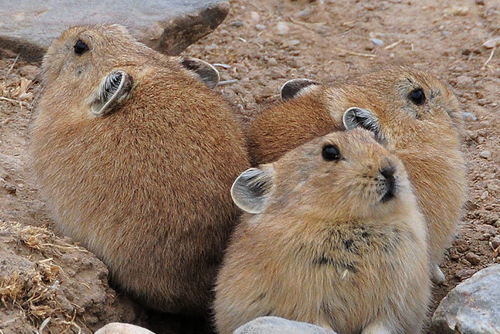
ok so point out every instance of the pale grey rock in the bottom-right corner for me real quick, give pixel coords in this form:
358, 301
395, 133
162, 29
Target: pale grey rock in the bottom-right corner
472, 307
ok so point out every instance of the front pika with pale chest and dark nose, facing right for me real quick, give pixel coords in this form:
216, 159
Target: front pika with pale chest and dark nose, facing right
331, 236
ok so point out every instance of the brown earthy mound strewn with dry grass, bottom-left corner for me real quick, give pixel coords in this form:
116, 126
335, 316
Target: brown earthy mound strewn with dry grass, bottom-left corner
42, 277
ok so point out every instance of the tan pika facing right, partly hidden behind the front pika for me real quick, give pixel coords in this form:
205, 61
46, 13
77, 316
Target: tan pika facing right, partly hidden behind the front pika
411, 112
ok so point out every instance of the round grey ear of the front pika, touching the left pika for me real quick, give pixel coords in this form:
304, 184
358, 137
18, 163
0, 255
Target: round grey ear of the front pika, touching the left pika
251, 189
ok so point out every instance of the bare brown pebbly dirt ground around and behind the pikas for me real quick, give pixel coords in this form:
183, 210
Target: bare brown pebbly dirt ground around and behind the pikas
263, 44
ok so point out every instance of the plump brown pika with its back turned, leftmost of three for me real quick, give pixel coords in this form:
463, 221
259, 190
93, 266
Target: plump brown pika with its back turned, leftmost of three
135, 156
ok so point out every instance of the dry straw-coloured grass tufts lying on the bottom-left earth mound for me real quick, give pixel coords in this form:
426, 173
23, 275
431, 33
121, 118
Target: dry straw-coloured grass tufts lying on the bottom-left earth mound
34, 290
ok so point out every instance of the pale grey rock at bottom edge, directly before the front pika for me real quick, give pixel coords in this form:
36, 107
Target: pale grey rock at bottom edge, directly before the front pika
275, 325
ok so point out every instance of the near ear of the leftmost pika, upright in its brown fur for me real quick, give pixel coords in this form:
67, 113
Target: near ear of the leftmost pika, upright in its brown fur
113, 89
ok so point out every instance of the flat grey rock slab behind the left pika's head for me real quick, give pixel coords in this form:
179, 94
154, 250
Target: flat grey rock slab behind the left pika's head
28, 26
